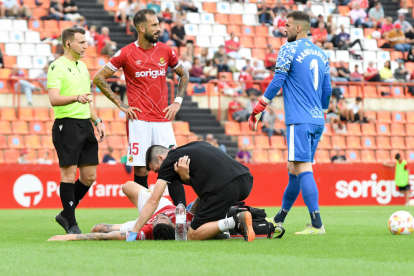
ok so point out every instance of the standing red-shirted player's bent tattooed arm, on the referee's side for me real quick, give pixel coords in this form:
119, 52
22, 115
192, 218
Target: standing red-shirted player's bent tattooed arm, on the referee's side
100, 80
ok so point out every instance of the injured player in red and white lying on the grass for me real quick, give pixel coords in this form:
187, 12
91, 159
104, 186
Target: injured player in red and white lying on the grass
161, 226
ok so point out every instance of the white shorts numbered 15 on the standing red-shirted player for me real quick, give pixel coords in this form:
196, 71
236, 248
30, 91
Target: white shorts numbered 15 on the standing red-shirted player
142, 135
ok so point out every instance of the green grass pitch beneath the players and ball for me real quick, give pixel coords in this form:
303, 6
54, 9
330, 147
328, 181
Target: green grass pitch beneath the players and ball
357, 243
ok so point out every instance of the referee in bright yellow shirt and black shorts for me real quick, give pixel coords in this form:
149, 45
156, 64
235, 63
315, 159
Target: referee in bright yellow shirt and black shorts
69, 87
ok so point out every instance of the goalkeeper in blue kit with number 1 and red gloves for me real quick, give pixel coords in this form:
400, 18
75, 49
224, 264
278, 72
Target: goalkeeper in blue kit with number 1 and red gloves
302, 70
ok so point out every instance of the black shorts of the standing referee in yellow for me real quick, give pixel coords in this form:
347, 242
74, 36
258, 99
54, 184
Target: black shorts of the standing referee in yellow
75, 142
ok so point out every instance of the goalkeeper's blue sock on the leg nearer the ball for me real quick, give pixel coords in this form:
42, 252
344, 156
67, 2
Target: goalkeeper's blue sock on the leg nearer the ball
310, 196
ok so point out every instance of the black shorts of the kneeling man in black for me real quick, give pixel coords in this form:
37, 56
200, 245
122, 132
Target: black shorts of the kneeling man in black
214, 207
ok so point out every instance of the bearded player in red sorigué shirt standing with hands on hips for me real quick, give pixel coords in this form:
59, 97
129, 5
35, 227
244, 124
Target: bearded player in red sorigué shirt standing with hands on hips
145, 63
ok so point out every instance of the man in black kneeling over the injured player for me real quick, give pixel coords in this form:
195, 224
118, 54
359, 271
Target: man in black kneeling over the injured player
218, 180
